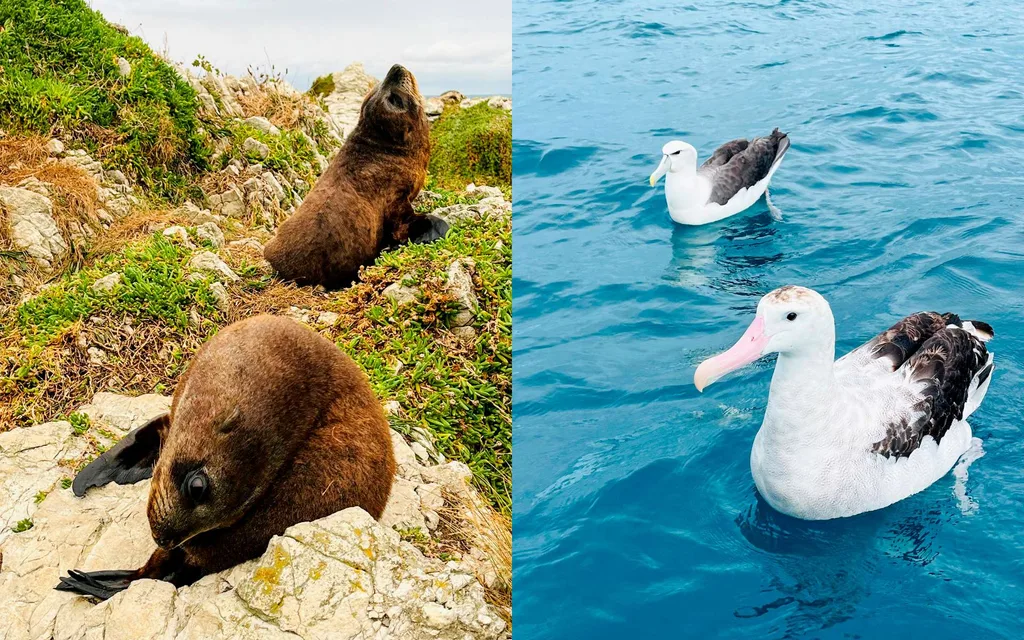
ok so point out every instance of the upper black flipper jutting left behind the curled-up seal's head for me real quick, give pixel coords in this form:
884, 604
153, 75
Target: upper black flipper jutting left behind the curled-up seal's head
127, 462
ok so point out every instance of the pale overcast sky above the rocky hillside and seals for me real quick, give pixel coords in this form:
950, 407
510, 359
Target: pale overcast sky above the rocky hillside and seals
449, 45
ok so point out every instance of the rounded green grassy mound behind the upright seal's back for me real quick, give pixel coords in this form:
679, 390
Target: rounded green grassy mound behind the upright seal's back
473, 146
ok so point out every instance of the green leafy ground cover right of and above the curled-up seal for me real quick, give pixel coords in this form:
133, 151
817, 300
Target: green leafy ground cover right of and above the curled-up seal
461, 398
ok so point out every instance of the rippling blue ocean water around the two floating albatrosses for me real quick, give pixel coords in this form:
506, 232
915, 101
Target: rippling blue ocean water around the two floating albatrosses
635, 513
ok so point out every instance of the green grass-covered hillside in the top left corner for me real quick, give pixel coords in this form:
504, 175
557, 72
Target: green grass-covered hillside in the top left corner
61, 76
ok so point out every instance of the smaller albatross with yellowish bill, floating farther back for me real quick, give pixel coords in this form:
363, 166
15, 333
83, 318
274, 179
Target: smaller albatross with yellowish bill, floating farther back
733, 180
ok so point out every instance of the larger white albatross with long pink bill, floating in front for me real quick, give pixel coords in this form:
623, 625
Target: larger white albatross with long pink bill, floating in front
861, 434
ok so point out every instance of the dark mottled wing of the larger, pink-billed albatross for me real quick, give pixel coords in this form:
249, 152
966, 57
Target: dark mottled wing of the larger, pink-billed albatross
945, 361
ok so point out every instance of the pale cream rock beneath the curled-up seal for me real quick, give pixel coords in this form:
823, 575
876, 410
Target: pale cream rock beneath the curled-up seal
343, 577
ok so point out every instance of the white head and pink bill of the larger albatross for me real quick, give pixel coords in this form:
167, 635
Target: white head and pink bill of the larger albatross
791, 321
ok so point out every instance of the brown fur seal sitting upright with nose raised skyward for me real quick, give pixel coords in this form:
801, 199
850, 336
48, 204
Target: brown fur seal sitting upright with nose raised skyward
364, 201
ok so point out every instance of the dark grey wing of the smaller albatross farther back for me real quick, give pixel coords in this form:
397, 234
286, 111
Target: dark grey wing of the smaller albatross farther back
740, 164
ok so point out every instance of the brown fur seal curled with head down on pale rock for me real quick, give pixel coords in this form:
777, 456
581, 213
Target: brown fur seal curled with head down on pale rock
271, 425
